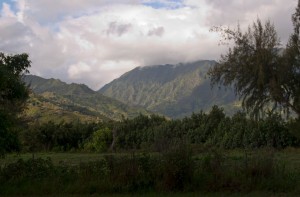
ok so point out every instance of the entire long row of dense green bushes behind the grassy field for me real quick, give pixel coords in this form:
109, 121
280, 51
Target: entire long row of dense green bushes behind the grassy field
156, 133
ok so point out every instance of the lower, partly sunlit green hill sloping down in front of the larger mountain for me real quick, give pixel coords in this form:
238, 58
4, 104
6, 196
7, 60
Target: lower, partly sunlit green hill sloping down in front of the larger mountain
52, 99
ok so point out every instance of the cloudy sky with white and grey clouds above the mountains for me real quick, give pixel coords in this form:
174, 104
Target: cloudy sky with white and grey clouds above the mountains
96, 41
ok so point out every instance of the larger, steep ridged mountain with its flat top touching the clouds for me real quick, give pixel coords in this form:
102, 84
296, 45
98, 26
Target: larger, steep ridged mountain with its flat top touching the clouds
173, 90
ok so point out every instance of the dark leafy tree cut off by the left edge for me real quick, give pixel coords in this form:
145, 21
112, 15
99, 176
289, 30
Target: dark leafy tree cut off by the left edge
13, 95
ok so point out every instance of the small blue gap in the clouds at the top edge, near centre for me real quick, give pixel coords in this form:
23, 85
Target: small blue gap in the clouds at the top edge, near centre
164, 4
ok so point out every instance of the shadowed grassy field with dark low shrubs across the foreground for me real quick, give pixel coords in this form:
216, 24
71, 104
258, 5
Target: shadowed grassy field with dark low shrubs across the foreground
174, 170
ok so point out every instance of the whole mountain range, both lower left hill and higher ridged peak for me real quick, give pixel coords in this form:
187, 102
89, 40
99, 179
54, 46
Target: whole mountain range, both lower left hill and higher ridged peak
175, 91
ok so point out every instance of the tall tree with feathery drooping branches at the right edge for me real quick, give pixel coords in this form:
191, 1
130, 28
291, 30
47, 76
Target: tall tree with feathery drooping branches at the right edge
262, 74
